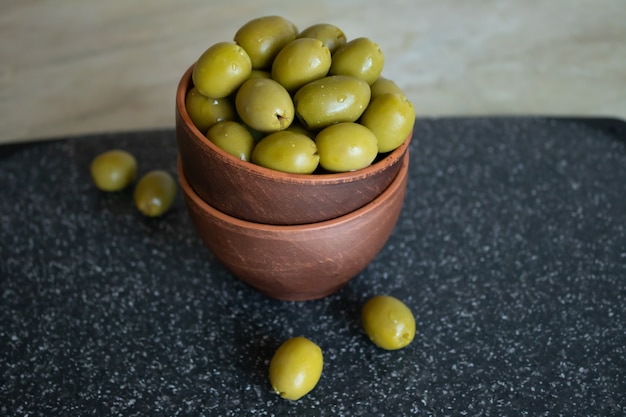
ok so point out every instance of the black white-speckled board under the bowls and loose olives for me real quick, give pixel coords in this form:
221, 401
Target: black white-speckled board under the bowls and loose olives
510, 250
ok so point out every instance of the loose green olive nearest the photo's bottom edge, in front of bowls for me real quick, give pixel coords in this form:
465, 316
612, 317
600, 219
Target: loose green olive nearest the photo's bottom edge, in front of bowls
296, 368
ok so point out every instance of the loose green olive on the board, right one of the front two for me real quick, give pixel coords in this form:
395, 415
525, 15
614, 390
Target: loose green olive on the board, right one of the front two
388, 322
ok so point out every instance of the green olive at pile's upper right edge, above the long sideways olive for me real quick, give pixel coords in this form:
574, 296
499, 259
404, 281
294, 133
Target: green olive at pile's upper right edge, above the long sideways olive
361, 58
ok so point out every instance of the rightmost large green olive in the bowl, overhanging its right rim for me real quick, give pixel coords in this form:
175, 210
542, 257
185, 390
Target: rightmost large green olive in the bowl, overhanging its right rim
391, 117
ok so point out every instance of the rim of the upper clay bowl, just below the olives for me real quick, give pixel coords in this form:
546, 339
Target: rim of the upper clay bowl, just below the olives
186, 83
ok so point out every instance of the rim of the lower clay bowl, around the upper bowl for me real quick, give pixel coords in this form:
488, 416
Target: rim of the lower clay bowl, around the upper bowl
393, 187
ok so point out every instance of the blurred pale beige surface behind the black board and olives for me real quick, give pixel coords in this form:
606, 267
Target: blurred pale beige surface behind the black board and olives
72, 67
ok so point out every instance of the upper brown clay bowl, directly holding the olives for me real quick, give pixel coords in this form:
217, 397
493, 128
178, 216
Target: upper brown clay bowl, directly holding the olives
257, 194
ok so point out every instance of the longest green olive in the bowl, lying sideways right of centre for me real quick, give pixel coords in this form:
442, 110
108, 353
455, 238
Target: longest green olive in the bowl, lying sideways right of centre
332, 99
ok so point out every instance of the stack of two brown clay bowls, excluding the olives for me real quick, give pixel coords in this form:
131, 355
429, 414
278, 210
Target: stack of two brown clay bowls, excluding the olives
292, 236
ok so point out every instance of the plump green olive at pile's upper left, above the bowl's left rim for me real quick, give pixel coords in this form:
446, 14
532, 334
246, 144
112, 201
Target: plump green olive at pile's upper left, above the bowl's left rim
221, 69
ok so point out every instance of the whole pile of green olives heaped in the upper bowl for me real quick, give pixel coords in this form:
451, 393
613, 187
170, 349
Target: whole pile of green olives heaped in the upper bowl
303, 102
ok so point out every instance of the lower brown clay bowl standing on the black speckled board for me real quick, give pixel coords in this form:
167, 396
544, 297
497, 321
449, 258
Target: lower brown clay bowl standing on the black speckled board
298, 262
